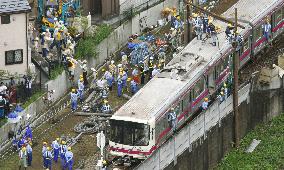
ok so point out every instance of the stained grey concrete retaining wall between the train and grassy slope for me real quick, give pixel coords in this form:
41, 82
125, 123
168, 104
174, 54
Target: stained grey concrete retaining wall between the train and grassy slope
209, 137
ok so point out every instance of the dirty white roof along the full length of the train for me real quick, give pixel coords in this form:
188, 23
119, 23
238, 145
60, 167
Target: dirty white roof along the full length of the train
185, 68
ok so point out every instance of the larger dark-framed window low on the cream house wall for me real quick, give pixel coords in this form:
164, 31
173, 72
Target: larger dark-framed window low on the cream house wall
14, 57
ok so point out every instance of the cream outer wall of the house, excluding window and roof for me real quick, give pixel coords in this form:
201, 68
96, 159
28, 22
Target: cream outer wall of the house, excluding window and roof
13, 37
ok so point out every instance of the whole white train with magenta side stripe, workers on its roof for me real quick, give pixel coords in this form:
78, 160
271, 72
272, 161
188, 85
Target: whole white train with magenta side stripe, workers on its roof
199, 70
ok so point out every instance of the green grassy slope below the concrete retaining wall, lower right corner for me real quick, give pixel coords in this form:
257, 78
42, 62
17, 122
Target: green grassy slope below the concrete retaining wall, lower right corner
269, 154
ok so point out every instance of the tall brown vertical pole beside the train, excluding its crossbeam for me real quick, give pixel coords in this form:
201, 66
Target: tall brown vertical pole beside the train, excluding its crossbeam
236, 84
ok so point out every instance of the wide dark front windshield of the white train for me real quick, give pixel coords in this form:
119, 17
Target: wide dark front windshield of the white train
129, 133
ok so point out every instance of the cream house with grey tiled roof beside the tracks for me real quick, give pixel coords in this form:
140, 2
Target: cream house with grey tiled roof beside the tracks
14, 49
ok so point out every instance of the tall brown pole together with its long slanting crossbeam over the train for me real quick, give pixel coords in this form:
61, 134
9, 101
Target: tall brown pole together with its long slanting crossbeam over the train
235, 67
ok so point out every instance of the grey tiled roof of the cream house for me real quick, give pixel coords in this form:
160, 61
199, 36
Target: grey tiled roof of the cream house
14, 6
